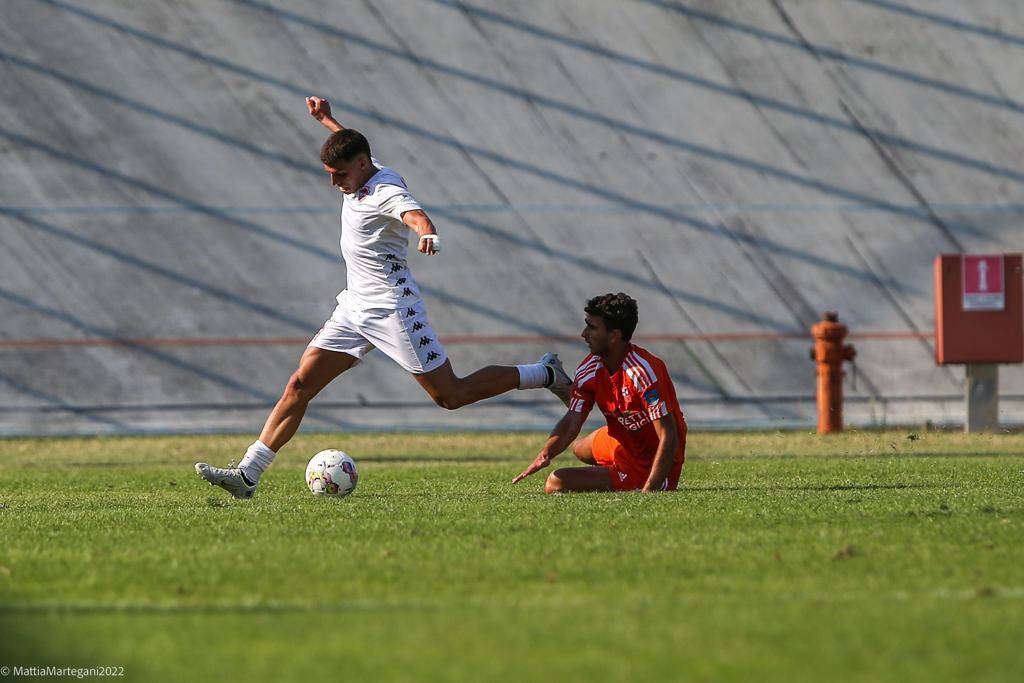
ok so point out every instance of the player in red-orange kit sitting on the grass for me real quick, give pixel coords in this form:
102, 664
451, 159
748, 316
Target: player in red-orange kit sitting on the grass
645, 443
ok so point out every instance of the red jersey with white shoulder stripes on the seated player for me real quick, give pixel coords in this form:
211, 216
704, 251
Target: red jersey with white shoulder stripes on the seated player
631, 399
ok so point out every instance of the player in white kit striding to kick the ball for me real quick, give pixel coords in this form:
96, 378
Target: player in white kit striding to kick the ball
380, 309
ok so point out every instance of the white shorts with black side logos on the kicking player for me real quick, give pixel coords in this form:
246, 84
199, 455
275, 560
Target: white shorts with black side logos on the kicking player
404, 334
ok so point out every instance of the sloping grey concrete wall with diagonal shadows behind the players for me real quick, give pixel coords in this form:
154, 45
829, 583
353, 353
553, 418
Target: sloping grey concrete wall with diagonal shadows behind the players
170, 243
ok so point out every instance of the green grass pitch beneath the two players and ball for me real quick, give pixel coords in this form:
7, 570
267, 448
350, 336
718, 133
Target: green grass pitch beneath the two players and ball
785, 557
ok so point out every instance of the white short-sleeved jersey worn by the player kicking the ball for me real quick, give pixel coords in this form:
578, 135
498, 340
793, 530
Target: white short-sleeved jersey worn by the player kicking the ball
375, 243
